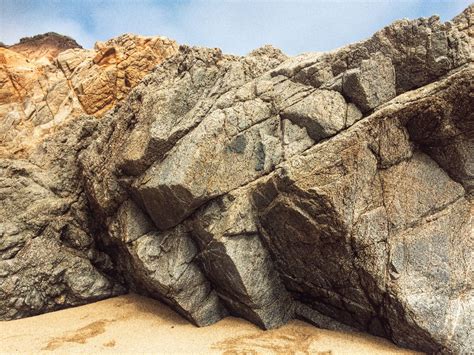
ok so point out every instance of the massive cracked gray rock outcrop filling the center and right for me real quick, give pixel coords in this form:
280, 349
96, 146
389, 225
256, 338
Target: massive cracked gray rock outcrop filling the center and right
304, 188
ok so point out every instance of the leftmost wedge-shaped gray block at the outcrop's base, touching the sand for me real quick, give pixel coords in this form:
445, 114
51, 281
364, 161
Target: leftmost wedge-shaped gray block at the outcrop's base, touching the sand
162, 265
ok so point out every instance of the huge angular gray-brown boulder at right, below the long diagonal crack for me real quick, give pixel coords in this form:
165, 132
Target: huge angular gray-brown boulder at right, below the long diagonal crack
397, 227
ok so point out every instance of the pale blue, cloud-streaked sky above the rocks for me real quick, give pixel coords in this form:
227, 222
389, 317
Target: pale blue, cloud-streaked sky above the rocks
235, 26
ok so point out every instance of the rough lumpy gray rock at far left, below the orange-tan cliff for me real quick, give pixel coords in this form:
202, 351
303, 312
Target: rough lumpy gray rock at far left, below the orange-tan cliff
48, 255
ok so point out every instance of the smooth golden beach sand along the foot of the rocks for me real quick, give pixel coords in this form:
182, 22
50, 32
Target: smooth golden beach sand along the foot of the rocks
135, 324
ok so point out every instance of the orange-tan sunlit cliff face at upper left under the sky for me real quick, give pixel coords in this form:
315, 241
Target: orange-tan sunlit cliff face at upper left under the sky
46, 82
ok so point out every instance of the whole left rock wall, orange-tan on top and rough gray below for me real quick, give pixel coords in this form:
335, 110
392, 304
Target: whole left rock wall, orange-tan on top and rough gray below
47, 250
